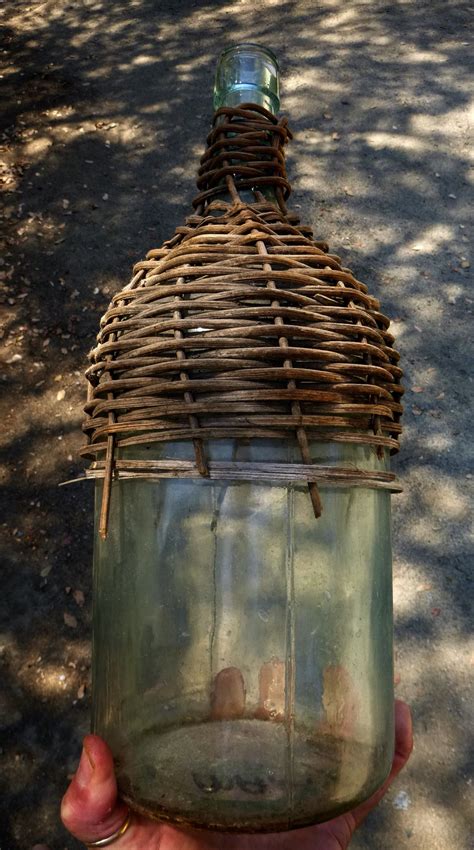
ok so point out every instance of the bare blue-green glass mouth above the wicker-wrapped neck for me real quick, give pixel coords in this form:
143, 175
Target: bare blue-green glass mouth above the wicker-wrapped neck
247, 73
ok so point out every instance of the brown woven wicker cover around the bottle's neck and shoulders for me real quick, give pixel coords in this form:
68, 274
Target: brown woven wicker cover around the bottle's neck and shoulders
242, 326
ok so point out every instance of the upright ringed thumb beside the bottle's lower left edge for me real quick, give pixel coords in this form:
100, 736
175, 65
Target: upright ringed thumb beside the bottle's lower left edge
90, 808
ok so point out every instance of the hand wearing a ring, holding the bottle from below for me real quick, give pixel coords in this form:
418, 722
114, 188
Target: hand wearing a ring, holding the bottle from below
91, 809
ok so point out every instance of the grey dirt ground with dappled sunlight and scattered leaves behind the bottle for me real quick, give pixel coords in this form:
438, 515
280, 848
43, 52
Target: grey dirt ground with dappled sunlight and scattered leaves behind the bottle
107, 113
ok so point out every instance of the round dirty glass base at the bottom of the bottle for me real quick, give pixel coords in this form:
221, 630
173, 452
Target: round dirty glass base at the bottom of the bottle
245, 776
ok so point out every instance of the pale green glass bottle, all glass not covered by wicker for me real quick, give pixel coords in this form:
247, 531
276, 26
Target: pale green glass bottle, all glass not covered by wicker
242, 649
